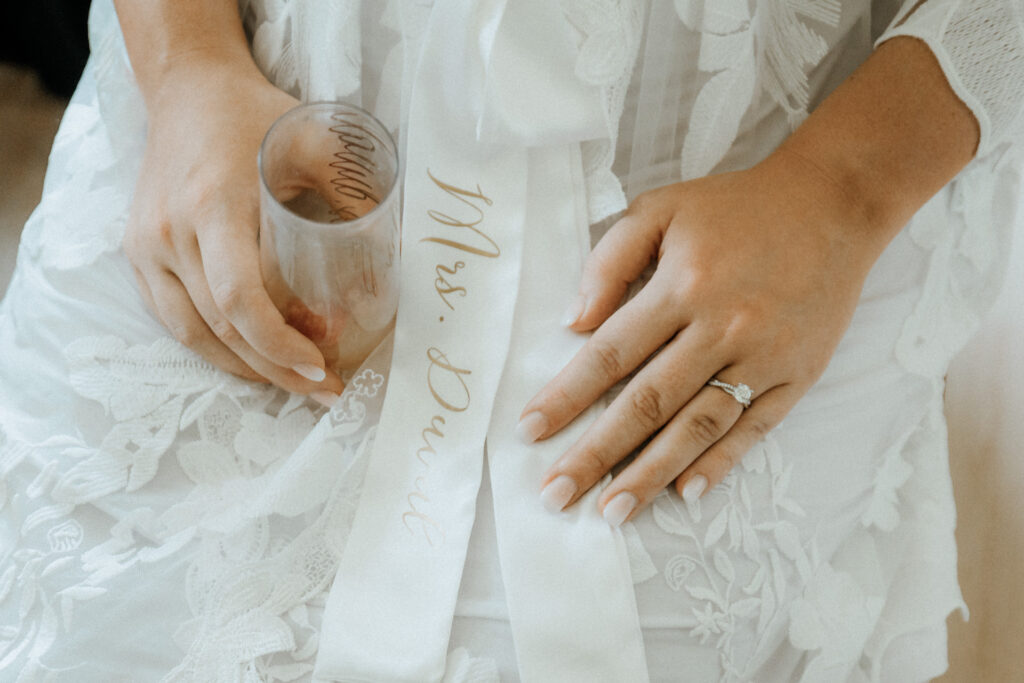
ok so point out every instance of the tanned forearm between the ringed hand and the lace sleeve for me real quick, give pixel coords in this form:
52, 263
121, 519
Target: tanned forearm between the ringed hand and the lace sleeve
887, 140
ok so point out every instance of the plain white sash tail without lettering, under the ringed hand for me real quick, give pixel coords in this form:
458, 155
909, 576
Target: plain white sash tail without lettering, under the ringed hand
567, 576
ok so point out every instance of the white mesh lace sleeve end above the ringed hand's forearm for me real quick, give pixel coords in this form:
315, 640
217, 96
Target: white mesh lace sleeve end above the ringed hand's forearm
980, 47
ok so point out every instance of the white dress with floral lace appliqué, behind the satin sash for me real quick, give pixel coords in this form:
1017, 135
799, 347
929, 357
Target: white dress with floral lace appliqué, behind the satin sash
162, 521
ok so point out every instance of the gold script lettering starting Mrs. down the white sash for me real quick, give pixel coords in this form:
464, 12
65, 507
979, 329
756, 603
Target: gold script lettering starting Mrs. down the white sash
445, 380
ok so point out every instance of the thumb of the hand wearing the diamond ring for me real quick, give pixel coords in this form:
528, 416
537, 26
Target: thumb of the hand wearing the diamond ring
619, 259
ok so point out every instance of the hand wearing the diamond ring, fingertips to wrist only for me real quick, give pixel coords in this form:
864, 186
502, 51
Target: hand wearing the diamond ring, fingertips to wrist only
758, 276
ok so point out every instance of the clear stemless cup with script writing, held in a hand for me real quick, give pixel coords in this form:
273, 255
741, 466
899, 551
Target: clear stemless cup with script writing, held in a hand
330, 228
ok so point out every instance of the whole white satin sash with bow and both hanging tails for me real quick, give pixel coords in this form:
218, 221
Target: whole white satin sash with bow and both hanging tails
491, 82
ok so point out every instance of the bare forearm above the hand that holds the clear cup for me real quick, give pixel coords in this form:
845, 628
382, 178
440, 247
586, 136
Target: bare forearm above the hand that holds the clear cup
162, 35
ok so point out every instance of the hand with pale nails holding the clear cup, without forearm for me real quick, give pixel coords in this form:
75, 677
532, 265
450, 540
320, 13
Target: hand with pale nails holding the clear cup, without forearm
192, 233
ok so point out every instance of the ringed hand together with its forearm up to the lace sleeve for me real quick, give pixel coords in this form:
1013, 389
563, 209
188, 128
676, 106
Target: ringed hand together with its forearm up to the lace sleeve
758, 277
